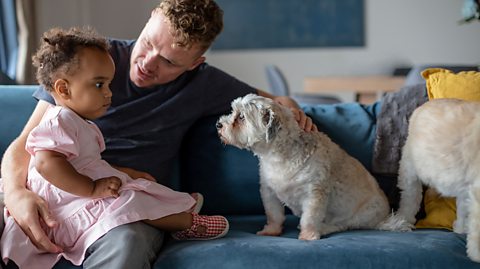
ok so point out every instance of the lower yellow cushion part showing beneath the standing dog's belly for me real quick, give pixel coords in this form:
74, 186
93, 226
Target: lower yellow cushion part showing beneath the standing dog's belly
440, 211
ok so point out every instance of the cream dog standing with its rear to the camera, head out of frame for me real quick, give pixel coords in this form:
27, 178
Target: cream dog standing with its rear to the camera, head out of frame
443, 151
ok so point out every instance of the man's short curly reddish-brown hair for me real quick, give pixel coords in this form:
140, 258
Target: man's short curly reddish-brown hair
193, 21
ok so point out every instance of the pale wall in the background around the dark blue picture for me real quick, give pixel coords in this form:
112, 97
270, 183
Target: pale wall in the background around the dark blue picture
398, 33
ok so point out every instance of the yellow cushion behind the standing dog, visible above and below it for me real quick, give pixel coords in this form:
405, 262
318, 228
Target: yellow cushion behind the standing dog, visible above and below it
443, 83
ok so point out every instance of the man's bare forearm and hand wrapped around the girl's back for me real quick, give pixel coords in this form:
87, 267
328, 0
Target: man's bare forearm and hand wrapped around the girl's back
25, 206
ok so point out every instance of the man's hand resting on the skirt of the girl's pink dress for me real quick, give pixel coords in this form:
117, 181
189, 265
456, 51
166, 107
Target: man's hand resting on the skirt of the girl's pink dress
28, 210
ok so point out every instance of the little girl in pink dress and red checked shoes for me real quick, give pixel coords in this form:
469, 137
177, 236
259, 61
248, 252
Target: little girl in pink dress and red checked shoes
86, 195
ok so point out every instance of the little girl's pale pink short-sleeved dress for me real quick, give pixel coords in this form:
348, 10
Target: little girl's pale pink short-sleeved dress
82, 220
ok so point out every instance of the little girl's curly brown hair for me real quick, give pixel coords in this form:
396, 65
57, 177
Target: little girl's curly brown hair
58, 49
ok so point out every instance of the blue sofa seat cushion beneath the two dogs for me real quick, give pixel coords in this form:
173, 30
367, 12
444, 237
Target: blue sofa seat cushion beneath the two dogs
242, 248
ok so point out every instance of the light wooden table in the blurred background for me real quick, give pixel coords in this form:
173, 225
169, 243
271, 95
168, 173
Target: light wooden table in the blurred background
367, 88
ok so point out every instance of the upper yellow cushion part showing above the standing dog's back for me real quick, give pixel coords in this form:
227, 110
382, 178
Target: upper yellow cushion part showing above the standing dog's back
443, 83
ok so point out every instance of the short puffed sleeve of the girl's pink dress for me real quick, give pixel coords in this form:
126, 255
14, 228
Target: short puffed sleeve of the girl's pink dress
57, 134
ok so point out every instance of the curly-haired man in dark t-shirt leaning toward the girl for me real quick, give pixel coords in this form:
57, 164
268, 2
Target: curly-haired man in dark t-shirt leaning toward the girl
162, 86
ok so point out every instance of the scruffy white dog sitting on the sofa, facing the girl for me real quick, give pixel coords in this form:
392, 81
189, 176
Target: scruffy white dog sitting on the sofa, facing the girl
328, 189
